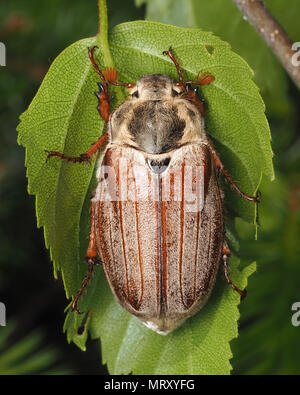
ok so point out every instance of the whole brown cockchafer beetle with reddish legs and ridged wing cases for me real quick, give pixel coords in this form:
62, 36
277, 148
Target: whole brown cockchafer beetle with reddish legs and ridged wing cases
157, 219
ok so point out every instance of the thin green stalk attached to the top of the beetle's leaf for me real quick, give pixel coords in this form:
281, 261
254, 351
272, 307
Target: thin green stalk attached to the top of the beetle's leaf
102, 36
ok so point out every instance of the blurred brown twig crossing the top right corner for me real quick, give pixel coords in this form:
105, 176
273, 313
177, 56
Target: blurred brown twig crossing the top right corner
274, 35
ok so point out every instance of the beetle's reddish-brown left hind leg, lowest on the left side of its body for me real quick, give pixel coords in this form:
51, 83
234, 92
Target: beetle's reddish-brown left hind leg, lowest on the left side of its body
91, 259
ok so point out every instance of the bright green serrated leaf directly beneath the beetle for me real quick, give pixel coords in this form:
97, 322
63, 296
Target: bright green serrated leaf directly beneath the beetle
63, 117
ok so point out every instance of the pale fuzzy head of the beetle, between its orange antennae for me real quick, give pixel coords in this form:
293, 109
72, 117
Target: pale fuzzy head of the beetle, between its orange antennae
155, 87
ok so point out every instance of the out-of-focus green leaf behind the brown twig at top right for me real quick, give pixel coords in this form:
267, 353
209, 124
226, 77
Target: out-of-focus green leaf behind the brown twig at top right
225, 19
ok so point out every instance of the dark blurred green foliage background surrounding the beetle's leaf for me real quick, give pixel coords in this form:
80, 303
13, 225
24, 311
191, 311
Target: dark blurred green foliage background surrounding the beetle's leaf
35, 32
